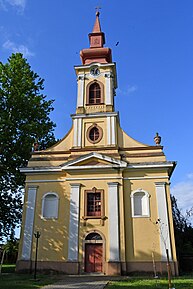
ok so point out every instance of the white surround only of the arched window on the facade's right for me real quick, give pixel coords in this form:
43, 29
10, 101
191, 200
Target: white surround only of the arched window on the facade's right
145, 204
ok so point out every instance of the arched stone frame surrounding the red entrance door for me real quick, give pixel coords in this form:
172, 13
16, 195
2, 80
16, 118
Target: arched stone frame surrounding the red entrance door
94, 242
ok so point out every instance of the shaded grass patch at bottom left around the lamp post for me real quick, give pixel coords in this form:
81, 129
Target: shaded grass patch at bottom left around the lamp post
22, 281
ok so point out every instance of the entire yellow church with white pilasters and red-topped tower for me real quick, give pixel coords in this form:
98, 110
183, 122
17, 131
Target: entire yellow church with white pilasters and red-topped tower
99, 199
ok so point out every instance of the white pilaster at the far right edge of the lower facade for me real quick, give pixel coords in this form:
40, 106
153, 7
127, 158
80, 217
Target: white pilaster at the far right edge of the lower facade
164, 222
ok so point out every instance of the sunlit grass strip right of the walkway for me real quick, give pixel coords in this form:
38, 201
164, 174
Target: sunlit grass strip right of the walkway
136, 283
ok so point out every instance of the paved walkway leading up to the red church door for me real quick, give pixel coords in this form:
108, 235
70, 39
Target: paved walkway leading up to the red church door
82, 282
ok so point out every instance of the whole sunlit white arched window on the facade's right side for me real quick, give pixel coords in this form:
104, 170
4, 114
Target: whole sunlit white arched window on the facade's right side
140, 203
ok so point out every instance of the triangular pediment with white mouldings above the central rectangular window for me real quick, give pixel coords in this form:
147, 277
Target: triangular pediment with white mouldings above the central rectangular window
92, 161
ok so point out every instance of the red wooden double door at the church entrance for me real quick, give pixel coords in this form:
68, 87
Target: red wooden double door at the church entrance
93, 258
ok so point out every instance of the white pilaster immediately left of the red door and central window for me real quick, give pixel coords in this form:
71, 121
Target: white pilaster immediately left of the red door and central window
74, 222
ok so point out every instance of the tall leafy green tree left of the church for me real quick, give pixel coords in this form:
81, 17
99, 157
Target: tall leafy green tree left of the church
24, 118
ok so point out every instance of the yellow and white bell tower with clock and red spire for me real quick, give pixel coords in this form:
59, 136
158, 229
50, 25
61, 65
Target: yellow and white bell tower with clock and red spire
95, 122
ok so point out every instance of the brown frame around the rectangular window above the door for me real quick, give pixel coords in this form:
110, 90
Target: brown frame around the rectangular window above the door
102, 214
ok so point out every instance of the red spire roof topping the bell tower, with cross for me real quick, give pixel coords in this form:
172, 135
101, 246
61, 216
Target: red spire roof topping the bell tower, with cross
96, 52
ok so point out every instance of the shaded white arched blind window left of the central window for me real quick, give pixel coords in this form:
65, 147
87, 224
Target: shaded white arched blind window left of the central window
50, 206
